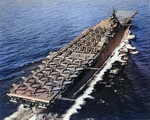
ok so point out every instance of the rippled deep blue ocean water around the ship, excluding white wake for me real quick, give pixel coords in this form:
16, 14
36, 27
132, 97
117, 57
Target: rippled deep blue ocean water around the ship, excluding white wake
29, 30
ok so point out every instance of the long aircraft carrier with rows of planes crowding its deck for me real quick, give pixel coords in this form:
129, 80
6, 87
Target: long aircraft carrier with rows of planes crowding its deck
63, 72
